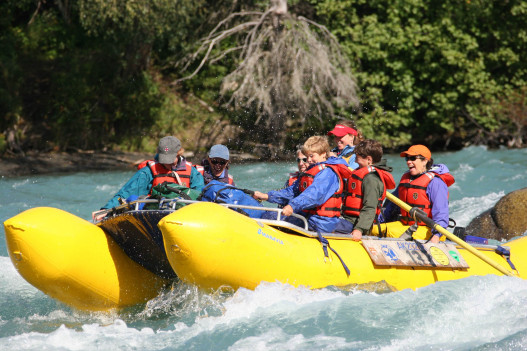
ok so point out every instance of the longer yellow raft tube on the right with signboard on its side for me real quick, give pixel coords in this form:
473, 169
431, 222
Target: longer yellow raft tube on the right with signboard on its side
212, 246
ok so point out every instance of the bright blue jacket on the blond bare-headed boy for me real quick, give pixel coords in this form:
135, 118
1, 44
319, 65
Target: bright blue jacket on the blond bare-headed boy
325, 184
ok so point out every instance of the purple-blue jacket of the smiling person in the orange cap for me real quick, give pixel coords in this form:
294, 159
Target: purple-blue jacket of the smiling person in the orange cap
437, 192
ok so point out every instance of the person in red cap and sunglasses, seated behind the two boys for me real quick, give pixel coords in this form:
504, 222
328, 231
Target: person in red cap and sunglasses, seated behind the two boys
346, 136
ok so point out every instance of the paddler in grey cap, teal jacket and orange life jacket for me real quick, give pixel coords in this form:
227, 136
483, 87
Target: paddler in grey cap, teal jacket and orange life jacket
168, 165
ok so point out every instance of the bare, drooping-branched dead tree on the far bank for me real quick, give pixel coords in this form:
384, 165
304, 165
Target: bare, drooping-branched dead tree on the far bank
290, 69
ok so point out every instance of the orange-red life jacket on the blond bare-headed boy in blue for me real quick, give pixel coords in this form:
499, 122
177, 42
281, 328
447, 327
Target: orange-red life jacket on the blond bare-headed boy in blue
332, 207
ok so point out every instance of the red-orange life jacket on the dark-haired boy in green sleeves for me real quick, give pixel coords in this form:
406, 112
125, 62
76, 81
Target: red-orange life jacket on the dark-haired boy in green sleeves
353, 196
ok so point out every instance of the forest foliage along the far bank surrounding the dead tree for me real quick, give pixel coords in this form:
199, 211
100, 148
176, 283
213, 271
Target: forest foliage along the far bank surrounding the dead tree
94, 74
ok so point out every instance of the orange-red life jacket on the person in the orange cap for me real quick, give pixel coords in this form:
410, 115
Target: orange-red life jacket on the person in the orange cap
413, 192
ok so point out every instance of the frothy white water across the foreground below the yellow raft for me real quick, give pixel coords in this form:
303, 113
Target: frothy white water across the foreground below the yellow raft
457, 315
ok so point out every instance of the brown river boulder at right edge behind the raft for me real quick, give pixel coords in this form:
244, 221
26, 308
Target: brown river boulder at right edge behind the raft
507, 219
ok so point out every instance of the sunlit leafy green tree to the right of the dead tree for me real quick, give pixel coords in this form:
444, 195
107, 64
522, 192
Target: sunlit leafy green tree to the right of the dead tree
423, 66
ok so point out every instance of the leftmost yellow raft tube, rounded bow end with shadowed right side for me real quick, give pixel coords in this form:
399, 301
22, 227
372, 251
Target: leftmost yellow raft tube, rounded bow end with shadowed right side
75, 262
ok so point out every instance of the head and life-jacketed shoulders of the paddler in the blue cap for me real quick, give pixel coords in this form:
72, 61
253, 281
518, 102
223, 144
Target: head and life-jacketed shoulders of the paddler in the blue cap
216, 165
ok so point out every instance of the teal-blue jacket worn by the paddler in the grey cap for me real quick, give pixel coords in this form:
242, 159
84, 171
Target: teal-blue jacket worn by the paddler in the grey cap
141, 183
